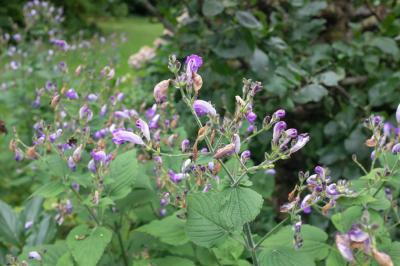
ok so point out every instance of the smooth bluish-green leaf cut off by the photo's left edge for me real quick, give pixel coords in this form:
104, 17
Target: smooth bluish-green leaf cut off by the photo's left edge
8, 224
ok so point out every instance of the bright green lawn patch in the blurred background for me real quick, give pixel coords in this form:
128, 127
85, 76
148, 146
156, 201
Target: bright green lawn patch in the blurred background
139, 31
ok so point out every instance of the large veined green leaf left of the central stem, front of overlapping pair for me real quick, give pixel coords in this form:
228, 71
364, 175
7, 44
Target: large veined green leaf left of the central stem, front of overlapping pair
205, 226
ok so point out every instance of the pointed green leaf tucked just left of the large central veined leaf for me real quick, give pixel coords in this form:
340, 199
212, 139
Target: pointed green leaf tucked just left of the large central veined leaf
170, 230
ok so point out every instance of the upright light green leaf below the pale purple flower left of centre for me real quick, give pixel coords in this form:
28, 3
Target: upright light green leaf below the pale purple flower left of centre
123, 171
